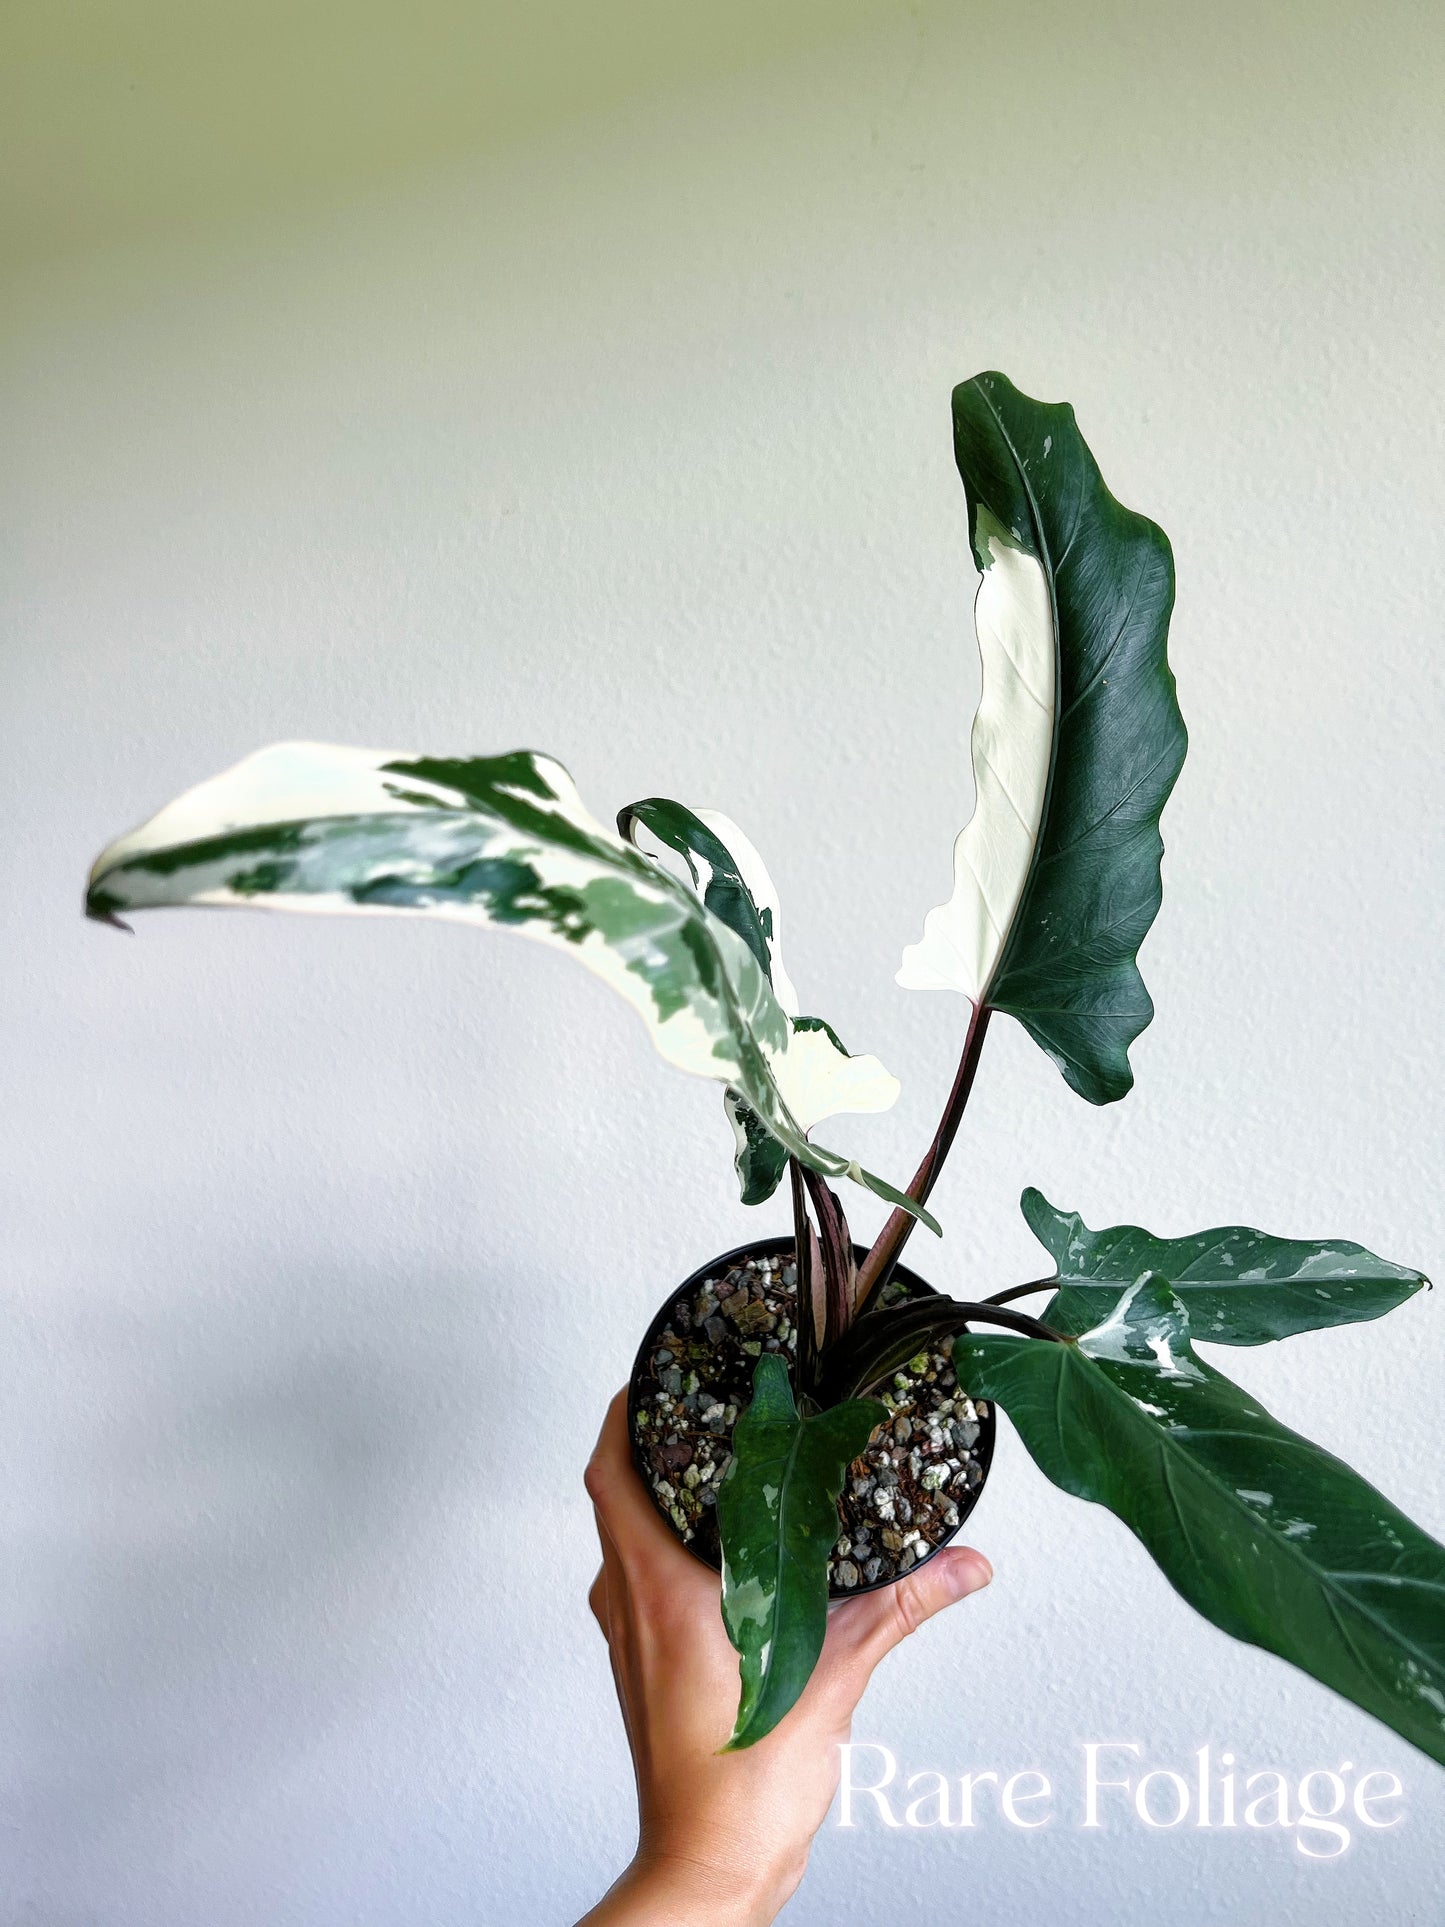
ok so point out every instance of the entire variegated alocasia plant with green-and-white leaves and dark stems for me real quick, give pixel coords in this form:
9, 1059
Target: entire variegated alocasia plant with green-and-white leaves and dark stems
1057, 880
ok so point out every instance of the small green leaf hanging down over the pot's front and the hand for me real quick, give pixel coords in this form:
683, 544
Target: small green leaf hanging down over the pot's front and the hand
777, 1516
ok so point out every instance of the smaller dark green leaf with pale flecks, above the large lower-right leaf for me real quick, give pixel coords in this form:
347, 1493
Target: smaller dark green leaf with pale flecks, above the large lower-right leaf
1238, 1286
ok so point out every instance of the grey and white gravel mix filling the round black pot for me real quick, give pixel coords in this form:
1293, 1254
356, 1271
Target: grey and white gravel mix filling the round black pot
903, 1498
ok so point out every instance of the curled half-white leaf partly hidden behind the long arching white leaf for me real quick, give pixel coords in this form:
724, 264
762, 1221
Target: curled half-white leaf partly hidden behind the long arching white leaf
735, 884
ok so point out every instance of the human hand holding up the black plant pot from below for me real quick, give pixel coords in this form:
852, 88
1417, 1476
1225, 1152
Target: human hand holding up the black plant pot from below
723, 1837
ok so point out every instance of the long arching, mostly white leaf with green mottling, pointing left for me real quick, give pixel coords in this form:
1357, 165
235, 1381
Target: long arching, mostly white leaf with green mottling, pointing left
500, 841
